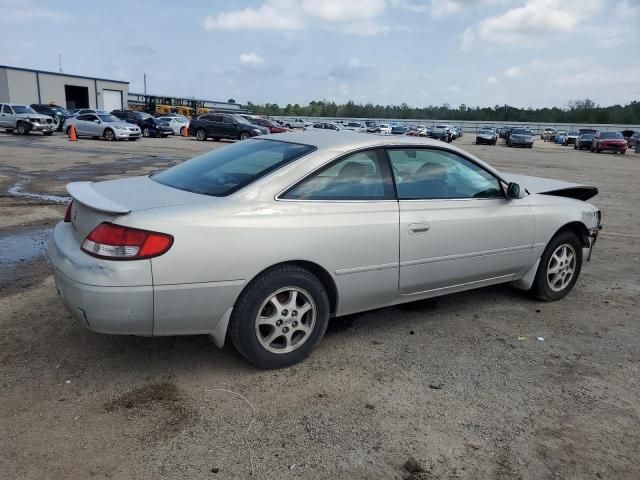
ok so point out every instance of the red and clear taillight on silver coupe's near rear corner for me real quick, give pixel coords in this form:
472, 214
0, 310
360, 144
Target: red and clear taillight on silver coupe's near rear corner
115, 242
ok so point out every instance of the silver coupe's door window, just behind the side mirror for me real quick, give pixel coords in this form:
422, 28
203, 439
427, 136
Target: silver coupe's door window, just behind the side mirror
437, 174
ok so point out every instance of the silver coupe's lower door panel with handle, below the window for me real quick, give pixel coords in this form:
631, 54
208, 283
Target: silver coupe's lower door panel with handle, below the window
451, 242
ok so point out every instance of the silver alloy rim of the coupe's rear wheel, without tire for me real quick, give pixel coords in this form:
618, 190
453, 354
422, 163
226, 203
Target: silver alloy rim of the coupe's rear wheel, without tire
285, 320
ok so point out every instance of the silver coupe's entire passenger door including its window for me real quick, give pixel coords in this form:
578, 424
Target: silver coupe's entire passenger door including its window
456, 225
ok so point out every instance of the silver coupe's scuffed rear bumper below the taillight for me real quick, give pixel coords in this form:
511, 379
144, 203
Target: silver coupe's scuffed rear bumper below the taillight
120, 298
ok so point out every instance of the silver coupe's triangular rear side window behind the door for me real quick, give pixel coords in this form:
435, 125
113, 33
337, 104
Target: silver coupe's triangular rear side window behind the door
361, 176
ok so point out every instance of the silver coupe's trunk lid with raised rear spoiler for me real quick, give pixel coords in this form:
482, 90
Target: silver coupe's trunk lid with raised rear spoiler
99, 202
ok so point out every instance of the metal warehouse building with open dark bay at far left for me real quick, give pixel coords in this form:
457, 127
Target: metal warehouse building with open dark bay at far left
23, 85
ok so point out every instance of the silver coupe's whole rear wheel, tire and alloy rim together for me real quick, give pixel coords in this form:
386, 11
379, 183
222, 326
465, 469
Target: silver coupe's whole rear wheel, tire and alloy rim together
280, 317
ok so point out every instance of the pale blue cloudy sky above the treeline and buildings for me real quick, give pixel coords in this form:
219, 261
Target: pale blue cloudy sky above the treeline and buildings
525, 53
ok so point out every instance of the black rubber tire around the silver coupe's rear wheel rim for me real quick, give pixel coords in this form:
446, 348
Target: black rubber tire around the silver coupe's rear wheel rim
242, 325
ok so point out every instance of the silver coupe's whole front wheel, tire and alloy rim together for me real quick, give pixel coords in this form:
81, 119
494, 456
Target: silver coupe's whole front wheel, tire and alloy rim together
559, 267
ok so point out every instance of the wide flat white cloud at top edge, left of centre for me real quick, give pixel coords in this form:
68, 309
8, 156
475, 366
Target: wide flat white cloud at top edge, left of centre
293, 15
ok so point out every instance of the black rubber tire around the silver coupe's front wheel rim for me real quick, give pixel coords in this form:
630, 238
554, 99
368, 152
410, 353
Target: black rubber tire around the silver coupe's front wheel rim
541, 288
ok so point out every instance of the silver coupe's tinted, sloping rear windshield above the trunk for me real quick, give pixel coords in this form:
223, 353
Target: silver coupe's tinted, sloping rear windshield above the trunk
228, 169
